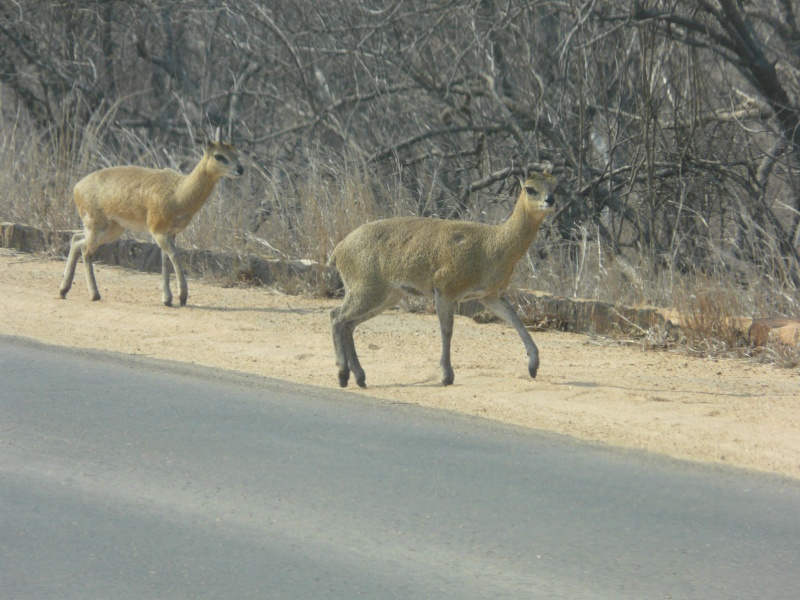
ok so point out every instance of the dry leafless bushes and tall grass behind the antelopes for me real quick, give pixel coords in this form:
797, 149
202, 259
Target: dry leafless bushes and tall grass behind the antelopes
672, 125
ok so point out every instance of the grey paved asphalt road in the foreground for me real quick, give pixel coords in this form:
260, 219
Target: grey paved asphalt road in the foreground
128, 478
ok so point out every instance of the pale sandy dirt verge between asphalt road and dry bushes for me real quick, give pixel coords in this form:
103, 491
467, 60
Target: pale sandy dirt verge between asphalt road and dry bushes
727, 411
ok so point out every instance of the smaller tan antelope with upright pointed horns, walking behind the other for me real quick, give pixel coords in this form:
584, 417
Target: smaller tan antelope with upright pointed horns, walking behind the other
161, 201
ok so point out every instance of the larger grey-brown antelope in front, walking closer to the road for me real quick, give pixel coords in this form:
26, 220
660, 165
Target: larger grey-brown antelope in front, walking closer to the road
449, 261
